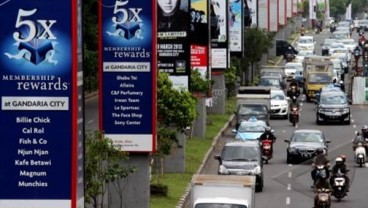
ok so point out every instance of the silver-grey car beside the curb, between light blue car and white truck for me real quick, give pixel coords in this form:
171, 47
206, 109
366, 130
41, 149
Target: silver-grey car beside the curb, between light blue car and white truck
242, 158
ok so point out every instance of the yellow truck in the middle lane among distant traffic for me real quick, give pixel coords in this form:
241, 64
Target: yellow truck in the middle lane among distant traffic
318, 72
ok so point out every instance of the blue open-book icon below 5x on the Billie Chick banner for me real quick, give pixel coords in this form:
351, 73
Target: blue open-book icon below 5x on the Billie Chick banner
35, 54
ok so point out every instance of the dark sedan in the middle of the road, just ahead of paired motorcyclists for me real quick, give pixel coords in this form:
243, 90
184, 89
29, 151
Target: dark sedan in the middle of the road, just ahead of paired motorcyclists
304, 143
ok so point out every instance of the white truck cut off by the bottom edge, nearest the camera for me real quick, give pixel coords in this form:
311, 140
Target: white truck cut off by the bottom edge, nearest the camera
222, 191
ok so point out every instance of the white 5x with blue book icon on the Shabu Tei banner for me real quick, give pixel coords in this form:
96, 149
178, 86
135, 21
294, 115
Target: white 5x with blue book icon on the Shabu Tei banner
127, 23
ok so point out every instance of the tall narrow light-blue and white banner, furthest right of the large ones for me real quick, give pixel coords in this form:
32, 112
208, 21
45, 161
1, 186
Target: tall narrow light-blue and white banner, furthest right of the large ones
236, 27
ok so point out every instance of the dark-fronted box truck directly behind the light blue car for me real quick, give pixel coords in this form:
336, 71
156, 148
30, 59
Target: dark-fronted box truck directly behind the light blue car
253, 101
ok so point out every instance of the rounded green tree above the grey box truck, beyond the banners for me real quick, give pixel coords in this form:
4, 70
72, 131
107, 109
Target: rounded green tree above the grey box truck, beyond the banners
256, 43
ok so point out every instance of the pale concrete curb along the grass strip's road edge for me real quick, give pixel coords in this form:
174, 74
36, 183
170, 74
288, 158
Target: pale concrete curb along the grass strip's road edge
184, 200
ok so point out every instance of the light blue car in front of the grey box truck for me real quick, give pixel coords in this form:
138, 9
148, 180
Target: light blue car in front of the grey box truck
250, 129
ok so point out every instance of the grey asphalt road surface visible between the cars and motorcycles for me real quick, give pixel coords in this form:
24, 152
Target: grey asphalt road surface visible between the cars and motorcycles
287, 185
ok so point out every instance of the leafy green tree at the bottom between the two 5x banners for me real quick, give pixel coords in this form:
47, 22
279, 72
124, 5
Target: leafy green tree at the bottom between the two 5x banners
103, 165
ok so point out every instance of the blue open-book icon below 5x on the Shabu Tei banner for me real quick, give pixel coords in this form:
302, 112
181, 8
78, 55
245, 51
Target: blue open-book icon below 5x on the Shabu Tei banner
128, 31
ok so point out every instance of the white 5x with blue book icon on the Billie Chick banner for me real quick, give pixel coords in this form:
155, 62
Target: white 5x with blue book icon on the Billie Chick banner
33, 38
